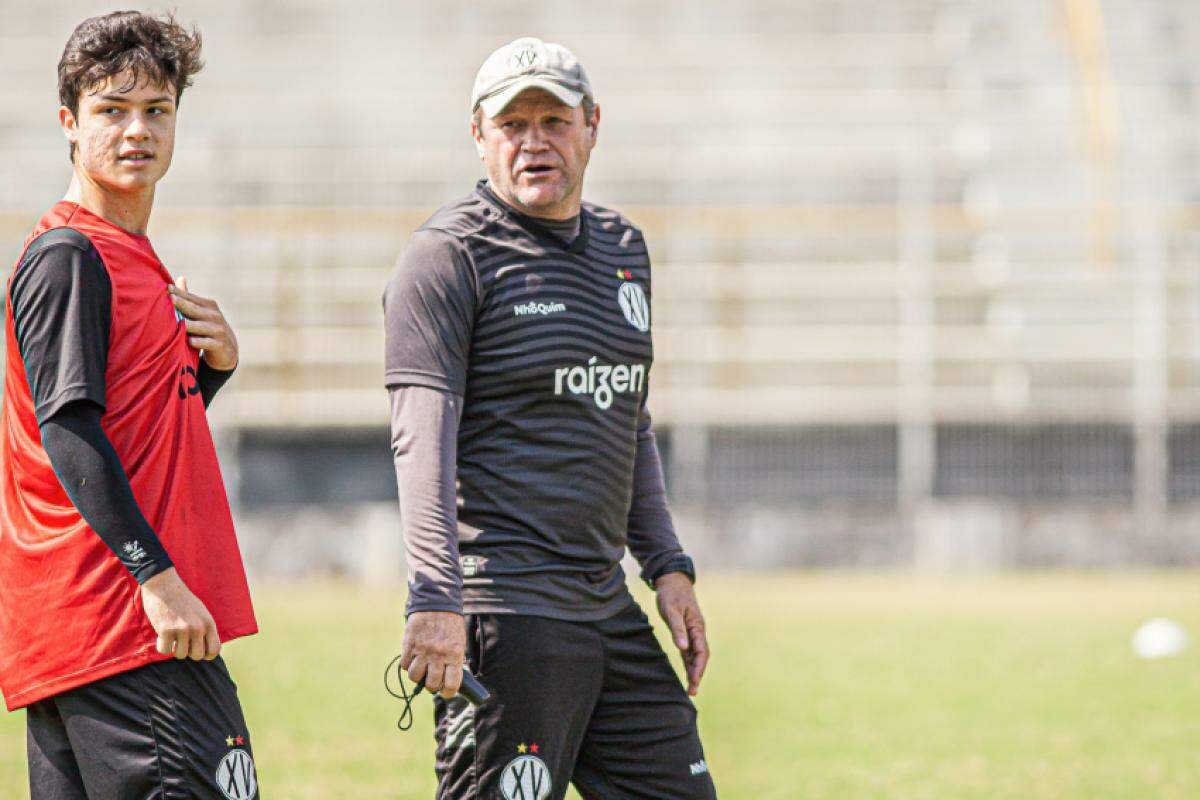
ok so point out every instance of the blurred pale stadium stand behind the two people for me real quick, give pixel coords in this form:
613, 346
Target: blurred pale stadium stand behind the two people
926, 272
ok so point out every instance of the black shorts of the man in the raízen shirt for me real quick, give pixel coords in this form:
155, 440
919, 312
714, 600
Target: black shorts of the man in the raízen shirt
596, 705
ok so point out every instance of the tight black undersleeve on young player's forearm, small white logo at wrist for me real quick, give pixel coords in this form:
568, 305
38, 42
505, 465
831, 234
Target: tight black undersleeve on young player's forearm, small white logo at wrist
92, 474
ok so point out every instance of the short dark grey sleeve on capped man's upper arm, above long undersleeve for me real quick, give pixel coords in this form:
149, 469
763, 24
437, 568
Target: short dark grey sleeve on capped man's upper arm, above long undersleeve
430, 314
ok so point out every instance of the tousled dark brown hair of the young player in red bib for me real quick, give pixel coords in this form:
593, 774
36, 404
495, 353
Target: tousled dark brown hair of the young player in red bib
149, 49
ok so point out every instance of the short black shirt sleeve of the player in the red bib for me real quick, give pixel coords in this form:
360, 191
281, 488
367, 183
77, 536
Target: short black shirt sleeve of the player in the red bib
62, 306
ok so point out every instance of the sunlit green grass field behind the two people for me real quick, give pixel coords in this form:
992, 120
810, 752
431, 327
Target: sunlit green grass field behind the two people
839, 687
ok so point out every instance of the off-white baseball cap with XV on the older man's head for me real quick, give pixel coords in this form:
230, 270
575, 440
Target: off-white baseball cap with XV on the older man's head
529, 63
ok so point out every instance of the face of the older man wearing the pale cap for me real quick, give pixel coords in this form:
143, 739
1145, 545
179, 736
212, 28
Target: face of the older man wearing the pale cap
536, 152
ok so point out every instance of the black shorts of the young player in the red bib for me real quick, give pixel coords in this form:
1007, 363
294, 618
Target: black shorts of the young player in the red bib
169, 731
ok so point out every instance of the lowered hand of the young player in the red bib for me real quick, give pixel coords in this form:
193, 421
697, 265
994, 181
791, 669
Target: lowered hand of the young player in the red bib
184, 625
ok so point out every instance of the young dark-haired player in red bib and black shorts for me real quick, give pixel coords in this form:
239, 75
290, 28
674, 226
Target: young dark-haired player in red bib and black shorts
119, 569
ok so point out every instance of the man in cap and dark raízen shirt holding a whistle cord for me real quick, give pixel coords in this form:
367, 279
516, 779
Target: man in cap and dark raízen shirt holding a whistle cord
519, 350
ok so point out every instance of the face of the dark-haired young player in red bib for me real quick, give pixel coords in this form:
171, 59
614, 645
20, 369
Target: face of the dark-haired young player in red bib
124, 140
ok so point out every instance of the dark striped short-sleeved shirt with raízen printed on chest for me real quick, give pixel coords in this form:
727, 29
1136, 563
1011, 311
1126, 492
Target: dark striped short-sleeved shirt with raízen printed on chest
548, 339
